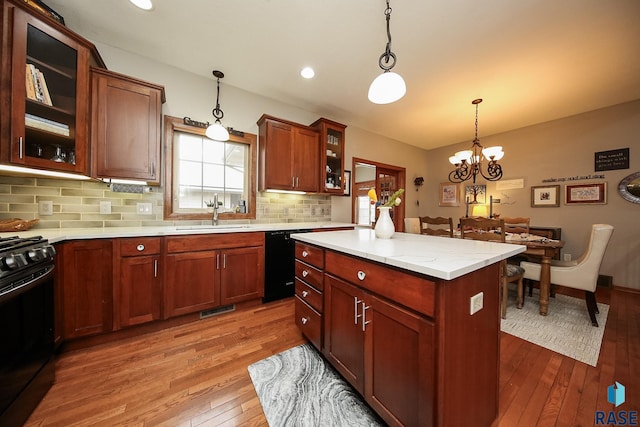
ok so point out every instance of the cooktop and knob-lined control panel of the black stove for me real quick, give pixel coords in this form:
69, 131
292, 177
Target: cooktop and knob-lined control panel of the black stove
23, 259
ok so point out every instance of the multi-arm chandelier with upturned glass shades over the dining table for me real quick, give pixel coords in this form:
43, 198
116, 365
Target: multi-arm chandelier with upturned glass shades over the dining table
469, 163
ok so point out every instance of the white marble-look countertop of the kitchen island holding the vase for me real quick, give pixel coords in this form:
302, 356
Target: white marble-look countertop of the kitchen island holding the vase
440, 257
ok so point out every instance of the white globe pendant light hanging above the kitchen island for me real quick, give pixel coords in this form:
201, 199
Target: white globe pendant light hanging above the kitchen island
388, 87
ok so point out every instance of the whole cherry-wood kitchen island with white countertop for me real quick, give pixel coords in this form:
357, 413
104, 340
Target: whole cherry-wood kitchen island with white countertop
411, 322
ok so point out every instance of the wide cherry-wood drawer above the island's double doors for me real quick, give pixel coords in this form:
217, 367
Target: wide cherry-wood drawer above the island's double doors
415, 292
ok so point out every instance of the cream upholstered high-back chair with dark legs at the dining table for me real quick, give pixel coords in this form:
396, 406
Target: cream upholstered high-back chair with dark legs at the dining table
581, 273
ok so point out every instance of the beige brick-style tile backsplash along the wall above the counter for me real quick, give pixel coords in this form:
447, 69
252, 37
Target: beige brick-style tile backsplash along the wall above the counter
76, 204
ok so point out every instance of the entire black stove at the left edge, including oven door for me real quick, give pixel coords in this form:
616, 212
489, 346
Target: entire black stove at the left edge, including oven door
27, 370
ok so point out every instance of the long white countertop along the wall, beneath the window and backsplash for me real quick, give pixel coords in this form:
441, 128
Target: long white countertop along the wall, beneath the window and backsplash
56, 235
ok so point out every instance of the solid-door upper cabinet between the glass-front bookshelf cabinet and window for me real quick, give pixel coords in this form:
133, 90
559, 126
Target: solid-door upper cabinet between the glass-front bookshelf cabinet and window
126, 117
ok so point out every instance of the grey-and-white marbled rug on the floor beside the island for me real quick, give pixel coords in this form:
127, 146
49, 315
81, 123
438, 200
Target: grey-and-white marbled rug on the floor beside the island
299, 388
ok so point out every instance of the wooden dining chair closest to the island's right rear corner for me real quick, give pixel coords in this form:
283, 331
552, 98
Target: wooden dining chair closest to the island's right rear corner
492, 230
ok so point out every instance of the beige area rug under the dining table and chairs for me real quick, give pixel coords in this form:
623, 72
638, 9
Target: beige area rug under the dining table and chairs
566, 329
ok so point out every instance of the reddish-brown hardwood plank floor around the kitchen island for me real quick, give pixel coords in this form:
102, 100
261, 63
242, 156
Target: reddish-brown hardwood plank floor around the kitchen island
196, 374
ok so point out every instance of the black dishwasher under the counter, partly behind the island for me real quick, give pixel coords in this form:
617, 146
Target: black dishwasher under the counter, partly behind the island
279, 264
